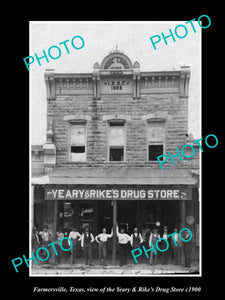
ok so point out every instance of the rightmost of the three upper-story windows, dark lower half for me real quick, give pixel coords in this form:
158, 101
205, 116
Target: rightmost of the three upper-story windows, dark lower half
156, 138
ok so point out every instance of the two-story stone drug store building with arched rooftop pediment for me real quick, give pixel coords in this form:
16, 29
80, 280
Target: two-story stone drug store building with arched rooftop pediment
99, 164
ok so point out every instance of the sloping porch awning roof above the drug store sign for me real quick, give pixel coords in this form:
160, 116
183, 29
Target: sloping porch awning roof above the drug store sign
118, 176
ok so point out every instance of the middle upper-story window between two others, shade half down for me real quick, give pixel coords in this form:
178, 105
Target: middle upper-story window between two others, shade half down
116, 141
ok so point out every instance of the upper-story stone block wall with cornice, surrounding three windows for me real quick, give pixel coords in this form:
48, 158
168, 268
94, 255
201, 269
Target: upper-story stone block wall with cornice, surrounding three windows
150, 95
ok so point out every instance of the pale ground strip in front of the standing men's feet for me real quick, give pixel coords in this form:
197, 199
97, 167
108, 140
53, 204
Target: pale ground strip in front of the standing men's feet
131, 269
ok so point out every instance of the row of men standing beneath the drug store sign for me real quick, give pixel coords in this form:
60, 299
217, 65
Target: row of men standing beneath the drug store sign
125, 242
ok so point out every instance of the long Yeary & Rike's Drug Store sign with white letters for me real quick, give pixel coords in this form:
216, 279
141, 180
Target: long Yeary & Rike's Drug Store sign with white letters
131, 193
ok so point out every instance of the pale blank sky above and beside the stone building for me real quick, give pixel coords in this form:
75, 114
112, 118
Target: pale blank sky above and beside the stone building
132, 38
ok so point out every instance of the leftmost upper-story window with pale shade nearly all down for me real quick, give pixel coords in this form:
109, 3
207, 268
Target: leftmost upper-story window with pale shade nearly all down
77, 141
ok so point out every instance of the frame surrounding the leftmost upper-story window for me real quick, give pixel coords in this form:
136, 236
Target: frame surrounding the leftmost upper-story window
70, 124
